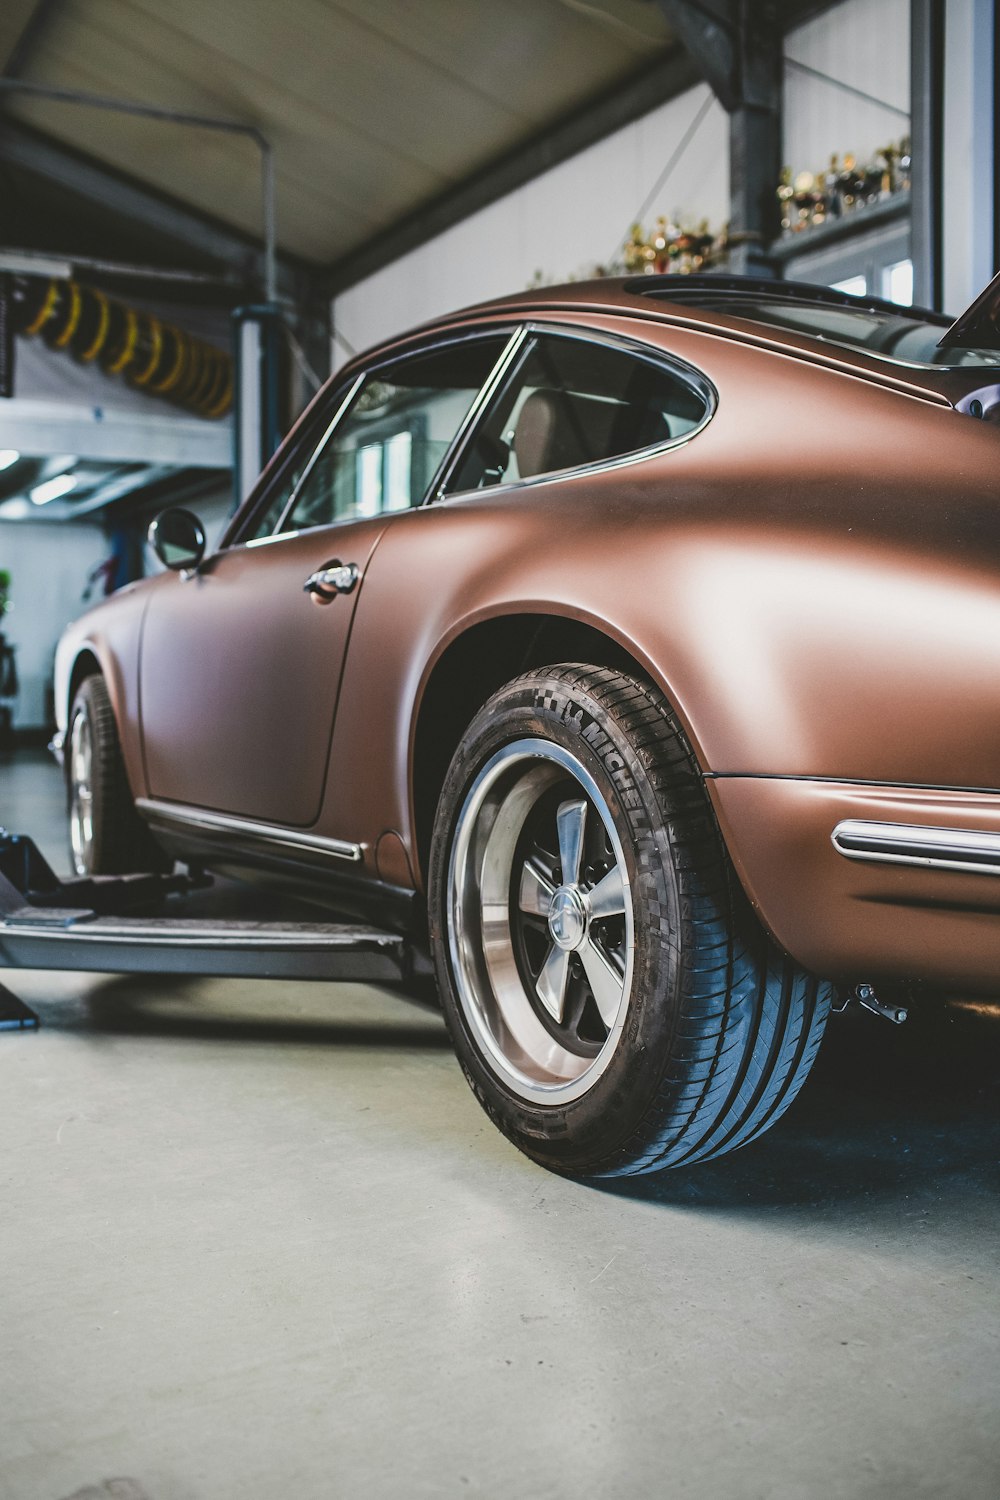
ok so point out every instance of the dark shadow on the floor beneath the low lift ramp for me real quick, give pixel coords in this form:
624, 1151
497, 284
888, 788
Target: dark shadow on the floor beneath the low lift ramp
149, 1006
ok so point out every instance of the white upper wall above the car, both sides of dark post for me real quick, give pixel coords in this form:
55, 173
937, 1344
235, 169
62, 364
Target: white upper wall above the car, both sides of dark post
576, 215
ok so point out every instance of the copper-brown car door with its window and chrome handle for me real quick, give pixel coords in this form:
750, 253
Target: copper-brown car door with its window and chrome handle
241, 664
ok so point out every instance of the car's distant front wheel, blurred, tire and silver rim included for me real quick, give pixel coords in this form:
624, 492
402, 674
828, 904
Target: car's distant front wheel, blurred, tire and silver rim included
119, 841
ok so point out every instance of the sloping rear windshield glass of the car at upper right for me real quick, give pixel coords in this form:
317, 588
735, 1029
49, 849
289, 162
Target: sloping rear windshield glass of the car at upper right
909, 338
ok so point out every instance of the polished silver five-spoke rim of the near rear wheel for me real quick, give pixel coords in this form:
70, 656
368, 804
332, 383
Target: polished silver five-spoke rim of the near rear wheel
542, 929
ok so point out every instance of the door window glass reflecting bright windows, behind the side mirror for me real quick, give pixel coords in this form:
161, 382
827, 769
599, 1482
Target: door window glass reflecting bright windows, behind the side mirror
385, 451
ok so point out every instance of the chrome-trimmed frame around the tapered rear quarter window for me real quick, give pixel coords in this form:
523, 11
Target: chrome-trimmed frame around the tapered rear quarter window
681, 370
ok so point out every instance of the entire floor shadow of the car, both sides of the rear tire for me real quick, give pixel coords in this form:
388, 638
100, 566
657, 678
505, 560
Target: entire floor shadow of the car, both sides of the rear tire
893, 1121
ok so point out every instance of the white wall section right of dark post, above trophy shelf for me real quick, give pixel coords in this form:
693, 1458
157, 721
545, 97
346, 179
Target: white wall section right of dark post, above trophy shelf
861, 43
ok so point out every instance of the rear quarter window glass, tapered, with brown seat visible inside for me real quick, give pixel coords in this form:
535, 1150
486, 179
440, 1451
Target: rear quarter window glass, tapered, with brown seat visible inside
570, 403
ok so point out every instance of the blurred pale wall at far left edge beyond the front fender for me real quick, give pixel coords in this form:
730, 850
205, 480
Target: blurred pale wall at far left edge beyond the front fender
49, 566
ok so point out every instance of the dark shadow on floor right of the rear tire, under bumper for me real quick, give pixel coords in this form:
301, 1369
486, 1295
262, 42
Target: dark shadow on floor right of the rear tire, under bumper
902, 1117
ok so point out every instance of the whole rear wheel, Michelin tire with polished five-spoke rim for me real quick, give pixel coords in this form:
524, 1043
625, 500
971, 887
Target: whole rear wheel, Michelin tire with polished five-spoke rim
719, 1028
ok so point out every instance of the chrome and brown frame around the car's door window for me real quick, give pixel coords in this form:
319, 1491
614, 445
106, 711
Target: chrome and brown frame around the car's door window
332, 407
